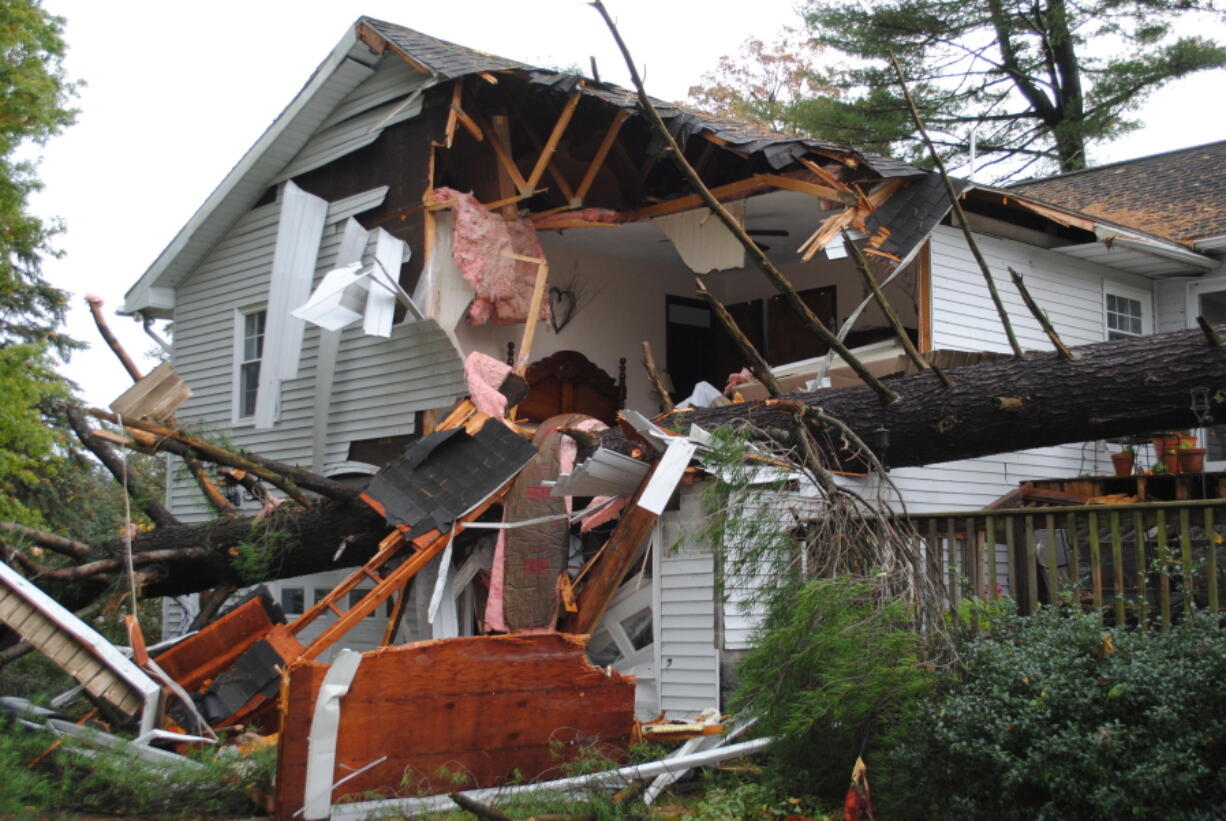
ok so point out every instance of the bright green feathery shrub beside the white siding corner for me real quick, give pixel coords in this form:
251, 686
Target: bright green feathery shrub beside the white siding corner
836, 673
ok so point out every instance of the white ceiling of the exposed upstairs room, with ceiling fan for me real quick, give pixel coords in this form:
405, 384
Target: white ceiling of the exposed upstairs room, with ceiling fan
798, 214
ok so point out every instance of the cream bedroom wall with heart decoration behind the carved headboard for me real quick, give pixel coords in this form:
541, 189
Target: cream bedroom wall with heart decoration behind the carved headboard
621, 305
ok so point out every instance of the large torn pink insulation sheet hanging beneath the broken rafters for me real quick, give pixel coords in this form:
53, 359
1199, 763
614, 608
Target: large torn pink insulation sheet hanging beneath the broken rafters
480, 238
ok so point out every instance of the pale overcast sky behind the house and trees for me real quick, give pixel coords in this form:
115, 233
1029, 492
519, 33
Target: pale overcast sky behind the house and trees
177, 93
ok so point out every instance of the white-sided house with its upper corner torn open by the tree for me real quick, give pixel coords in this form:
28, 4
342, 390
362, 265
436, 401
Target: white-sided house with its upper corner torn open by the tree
387, 226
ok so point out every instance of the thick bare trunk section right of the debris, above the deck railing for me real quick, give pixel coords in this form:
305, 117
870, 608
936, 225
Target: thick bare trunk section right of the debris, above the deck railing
1111, 389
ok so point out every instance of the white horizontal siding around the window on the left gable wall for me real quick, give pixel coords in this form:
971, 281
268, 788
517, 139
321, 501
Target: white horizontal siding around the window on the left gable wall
379, 384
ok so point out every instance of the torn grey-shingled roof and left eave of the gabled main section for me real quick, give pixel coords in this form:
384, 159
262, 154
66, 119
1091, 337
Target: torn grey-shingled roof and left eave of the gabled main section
321, 107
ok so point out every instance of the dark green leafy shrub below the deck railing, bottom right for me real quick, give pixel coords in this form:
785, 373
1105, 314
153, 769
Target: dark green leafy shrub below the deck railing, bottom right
1055, 717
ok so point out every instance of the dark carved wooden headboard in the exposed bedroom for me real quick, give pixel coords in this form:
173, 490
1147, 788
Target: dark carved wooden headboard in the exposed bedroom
571, 383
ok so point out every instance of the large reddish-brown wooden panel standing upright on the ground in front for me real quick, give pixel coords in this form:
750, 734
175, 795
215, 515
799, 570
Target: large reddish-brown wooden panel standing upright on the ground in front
491, 709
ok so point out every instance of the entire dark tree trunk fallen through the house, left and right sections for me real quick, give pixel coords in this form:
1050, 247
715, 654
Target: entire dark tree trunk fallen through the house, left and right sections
1110, 389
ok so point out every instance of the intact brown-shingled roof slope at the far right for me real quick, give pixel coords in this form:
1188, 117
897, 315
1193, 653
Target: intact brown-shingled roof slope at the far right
1180, 195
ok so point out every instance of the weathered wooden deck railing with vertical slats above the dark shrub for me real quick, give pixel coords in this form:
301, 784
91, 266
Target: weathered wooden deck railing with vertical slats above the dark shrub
1142, 564
